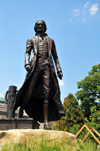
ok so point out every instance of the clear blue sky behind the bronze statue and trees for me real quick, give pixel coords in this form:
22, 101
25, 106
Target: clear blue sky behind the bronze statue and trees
74, 25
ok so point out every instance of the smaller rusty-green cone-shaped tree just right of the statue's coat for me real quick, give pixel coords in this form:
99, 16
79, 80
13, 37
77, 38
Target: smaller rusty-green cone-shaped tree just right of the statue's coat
74, 118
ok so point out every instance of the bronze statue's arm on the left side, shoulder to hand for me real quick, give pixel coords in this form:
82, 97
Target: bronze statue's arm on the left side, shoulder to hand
27, 54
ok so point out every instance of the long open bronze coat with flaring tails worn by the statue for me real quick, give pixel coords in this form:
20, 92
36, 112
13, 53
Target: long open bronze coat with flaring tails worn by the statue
34, 107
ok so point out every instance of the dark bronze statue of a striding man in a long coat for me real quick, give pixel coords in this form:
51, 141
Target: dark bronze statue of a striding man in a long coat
40, 93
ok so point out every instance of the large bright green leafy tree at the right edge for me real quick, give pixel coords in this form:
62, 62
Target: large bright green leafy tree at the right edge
89, 93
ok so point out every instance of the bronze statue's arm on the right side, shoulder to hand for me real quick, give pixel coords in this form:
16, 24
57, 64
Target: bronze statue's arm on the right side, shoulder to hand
56, 60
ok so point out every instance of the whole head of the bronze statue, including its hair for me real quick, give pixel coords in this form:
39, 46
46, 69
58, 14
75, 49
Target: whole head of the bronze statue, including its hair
40, 26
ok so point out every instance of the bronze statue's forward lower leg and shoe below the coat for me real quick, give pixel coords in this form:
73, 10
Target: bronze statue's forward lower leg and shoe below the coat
47, 126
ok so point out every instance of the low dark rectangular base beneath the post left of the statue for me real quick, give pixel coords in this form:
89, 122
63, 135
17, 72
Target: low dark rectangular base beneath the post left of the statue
20, 123
